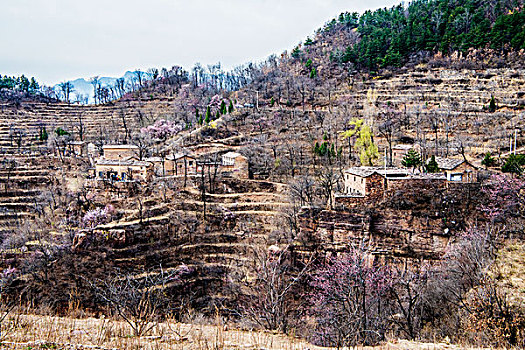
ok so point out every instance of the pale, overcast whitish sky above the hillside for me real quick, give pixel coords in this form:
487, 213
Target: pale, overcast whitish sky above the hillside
61, 40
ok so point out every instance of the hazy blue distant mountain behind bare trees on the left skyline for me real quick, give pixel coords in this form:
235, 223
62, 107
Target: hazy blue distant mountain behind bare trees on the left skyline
83, 89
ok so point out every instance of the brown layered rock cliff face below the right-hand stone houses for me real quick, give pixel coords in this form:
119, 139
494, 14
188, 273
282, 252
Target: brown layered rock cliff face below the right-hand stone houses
407, 224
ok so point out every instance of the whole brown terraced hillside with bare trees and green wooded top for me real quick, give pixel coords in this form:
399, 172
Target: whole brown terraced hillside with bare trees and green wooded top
275, 247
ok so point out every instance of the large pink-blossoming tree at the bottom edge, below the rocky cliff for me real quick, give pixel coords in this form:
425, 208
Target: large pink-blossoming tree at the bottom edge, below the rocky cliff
349, 301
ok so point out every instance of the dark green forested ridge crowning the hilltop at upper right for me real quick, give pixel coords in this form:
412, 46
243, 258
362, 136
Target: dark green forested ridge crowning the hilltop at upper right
388, 37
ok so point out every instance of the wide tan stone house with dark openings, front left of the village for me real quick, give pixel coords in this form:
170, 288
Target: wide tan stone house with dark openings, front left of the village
123, 170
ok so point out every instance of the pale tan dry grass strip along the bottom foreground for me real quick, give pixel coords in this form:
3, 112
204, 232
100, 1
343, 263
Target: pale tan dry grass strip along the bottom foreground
46, 332
